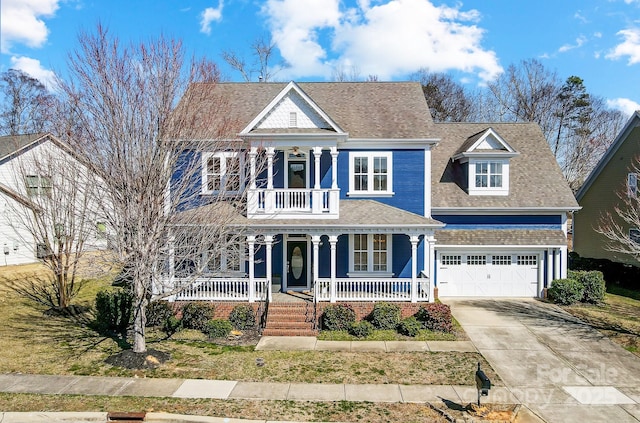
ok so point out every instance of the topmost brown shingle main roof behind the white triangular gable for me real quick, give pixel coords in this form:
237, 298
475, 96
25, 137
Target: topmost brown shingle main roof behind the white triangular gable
364, 110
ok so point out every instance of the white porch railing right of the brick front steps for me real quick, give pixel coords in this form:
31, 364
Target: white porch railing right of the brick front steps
384, 289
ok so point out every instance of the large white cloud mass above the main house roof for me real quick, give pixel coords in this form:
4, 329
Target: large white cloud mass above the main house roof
385, 38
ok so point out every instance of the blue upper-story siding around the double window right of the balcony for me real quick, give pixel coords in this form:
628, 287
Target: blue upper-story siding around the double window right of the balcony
408, 179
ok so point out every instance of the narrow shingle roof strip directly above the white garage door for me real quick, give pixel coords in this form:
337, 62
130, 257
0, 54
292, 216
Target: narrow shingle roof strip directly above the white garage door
500, 237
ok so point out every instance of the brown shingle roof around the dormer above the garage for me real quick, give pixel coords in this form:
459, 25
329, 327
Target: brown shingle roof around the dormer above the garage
535, 179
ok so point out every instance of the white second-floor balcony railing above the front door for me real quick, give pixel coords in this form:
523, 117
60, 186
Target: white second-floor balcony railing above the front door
293, 203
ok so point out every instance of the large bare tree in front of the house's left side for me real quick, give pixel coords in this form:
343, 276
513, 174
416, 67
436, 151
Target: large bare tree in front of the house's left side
150, 158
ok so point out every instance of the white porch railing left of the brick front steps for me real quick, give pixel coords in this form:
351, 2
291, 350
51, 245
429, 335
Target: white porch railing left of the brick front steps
222, 289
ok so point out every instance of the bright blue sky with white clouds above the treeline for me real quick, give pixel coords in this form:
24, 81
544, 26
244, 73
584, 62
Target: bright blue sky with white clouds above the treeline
473, 40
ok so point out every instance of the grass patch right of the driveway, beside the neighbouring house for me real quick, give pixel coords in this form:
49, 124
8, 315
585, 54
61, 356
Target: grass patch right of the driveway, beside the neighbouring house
618, 318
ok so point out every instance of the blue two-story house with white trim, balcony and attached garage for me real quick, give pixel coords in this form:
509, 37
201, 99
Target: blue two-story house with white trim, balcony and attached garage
365, 198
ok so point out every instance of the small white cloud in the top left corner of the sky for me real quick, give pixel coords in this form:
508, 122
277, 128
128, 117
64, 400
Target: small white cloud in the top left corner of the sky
22, 23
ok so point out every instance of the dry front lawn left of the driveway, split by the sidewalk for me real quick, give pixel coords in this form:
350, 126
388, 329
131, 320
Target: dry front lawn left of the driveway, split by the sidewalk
32, 341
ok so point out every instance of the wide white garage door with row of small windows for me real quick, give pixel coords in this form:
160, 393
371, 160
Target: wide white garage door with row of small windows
487, 275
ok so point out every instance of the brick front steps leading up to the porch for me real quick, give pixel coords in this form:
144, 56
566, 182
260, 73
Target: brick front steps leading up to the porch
290, 319
